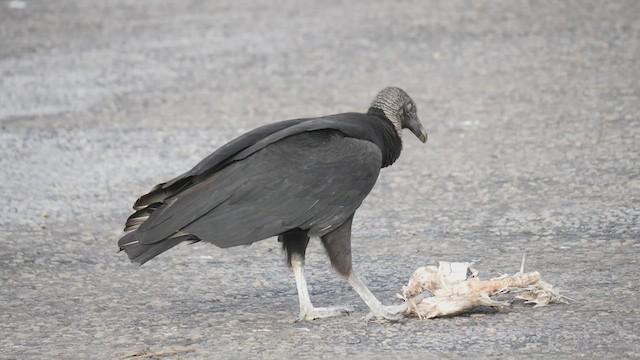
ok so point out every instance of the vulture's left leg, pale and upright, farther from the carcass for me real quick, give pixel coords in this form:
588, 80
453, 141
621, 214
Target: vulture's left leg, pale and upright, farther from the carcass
295, 244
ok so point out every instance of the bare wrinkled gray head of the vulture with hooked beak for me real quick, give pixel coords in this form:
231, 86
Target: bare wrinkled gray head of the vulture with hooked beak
400, 109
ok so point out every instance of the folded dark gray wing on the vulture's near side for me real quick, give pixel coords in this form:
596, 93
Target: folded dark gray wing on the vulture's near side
311, 180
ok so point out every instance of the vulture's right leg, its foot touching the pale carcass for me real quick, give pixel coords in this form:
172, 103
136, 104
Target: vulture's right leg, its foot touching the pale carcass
338, 246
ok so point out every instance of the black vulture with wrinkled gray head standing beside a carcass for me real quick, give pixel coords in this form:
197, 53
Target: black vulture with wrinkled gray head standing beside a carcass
295, 179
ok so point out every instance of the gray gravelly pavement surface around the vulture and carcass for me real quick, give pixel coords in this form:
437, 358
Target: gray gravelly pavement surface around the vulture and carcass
533, 112
